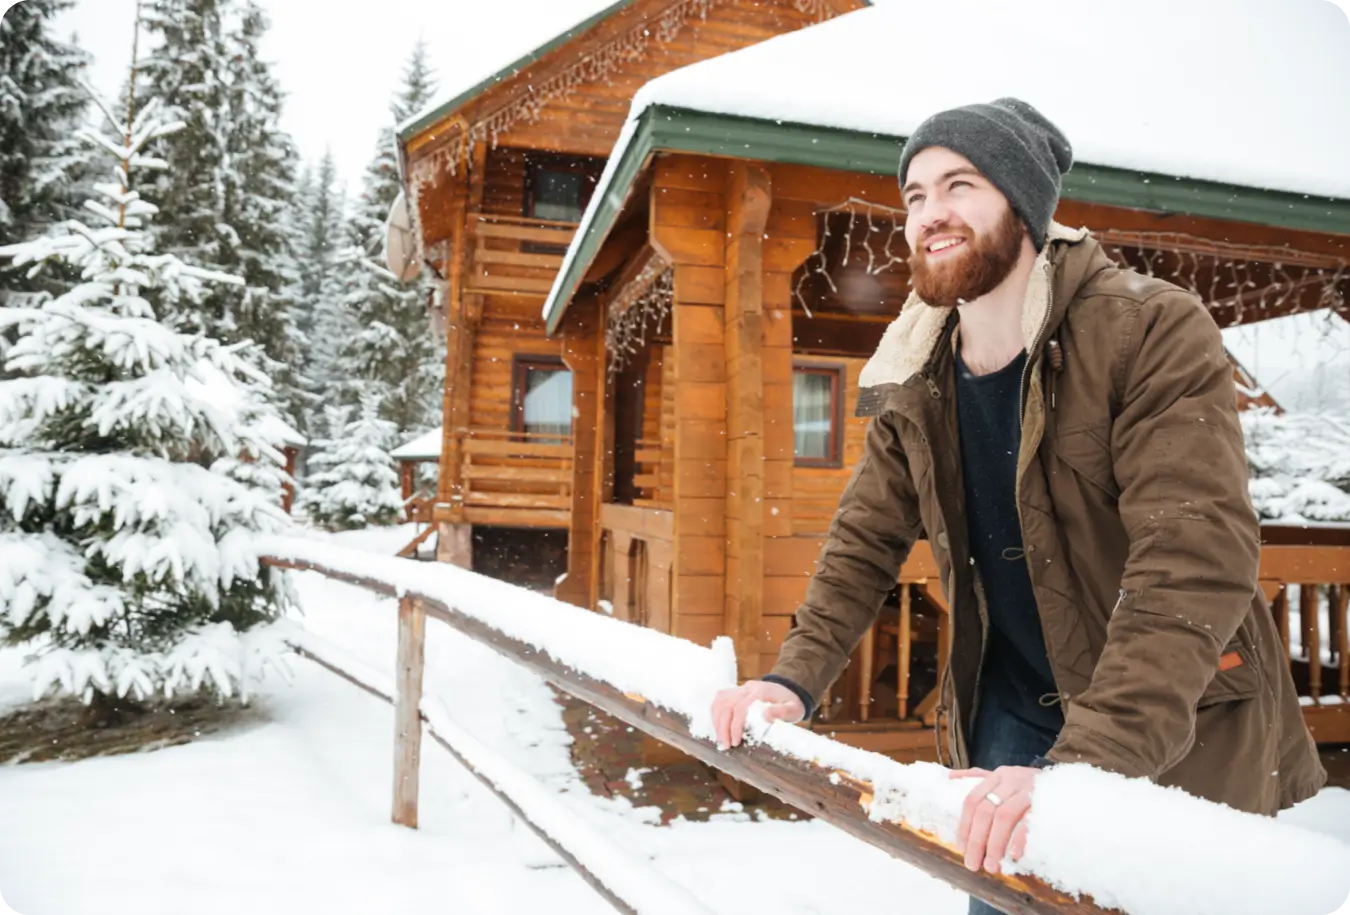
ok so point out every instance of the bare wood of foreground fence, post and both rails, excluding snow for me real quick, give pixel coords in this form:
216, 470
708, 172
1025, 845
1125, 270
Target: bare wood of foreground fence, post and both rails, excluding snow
812, 789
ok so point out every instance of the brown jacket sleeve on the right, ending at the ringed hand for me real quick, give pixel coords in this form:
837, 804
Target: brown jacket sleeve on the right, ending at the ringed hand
1191, 573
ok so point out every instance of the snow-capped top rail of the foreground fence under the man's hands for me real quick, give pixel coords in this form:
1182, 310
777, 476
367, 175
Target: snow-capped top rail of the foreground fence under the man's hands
1124, 843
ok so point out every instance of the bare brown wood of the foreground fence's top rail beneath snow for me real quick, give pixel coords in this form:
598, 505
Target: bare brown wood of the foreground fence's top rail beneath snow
811, 789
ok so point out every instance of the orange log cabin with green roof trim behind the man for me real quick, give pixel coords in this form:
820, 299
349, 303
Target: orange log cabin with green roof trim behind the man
655, 326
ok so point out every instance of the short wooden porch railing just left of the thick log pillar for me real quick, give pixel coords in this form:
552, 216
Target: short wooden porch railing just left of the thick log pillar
638, 551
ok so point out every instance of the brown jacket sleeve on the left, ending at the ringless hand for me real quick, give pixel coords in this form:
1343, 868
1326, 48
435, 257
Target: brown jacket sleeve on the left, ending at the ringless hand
873, 532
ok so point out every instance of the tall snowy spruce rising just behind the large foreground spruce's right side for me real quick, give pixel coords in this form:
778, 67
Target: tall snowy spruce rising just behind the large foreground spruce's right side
232, 177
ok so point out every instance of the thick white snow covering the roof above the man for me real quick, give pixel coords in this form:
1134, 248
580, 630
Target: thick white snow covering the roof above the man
1244, 92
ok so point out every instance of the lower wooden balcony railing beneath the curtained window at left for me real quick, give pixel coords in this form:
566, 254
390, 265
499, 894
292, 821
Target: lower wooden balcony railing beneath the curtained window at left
516, 478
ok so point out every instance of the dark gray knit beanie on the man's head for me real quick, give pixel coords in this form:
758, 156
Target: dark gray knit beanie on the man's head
1013, 145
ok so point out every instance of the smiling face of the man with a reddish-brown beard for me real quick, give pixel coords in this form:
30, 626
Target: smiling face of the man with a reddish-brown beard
965, 238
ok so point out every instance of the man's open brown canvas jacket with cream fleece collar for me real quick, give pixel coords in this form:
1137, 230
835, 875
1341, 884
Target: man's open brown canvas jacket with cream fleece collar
1140, 536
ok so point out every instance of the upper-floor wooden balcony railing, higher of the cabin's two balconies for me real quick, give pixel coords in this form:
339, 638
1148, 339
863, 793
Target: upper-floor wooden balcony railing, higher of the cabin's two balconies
516, 256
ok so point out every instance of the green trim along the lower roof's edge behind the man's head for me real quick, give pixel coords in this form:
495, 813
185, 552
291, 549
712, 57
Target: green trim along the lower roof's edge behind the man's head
681, 130
